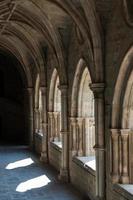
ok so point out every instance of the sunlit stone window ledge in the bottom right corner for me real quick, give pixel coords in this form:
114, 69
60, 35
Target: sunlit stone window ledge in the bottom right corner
125, 190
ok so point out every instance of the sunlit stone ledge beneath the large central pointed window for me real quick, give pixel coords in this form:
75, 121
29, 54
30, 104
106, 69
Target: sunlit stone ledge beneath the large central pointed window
82, 162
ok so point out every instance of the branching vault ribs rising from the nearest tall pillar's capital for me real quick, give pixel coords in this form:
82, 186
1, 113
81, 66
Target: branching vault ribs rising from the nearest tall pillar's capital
91, 32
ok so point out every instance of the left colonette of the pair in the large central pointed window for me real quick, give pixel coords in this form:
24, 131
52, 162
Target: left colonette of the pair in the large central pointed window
74, 144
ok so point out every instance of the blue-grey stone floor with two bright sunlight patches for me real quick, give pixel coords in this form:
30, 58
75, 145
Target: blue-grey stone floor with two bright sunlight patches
23, 177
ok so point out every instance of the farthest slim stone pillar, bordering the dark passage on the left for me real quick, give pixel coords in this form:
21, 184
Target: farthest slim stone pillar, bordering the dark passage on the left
30, 96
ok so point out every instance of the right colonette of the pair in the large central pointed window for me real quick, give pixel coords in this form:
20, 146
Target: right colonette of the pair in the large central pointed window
80, 136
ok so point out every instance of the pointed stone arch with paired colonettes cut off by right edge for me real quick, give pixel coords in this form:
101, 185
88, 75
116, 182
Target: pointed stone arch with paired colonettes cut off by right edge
121, 133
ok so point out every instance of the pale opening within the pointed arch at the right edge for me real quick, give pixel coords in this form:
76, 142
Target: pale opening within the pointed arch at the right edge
126, 123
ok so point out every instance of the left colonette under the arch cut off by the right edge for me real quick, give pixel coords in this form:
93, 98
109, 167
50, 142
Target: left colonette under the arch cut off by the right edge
115, 133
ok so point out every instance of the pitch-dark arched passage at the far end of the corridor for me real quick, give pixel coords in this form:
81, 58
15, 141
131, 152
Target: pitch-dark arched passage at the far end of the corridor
13, 128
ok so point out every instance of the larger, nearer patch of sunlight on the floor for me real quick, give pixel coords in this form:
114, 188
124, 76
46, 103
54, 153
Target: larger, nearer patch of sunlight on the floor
33, 183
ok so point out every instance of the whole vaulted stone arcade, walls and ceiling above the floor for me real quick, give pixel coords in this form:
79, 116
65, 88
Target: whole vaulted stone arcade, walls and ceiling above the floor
66, 89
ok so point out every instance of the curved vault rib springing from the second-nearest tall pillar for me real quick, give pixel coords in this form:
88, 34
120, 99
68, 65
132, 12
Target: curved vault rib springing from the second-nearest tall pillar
44, 25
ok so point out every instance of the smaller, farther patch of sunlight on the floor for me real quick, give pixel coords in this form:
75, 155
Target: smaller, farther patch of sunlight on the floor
20, 163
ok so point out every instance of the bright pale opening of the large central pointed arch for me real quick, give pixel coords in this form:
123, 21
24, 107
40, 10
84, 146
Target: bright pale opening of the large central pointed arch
86, 113
